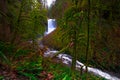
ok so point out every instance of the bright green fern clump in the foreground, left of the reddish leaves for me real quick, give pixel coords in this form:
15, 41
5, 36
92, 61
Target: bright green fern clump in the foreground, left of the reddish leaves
30, 68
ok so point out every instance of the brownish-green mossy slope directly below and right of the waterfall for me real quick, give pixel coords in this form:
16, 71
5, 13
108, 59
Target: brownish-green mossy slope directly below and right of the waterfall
53, 40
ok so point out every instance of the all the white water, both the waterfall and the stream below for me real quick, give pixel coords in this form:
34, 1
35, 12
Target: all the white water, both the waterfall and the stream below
67, 59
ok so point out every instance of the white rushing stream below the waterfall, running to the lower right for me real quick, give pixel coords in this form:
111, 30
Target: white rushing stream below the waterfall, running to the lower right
67, 59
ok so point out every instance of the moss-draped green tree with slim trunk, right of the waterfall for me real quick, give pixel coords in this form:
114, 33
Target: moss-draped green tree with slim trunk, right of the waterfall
72, 24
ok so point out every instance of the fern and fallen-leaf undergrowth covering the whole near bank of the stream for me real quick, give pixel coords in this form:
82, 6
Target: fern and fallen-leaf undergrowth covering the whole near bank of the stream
23, 64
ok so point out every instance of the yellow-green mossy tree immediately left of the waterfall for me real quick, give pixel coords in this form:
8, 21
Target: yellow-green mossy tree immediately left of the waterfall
38, 18
